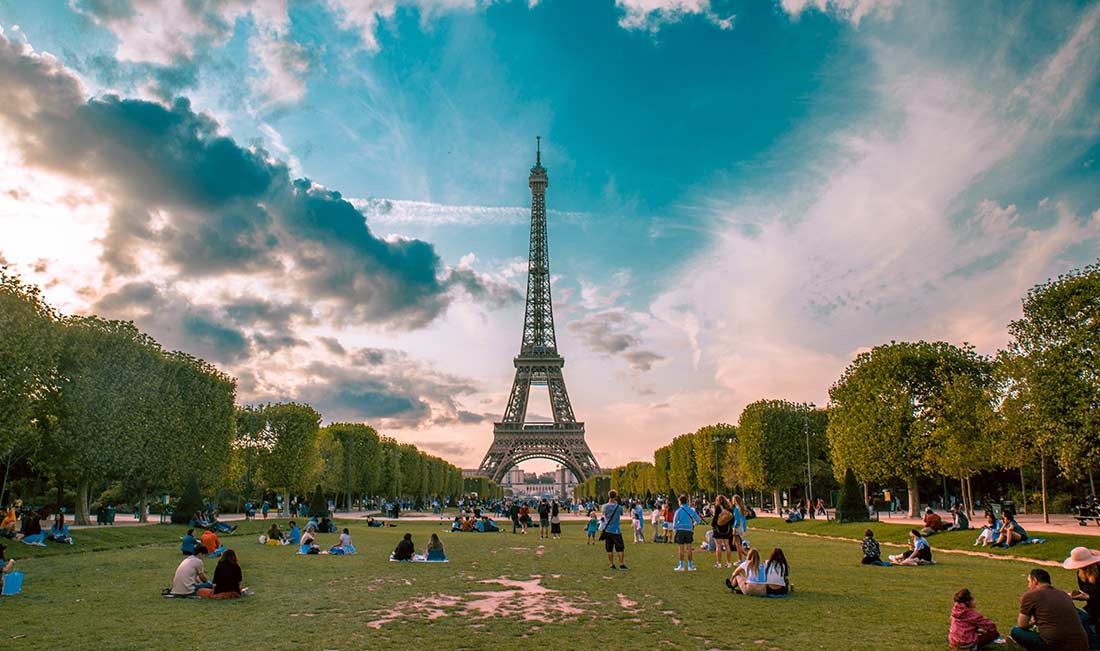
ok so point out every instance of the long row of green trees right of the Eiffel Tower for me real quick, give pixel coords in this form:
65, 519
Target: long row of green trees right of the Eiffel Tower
907, 411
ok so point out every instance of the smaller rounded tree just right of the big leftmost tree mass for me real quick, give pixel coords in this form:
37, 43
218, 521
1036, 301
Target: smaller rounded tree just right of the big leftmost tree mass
293, 457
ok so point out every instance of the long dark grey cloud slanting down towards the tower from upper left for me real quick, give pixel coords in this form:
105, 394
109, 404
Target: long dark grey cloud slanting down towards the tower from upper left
207, 206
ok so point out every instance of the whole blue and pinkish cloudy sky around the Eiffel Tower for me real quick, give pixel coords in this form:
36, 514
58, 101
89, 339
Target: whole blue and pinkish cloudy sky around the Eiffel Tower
743, 195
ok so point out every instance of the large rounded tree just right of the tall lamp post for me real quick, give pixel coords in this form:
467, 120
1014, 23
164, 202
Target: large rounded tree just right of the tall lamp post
882, 411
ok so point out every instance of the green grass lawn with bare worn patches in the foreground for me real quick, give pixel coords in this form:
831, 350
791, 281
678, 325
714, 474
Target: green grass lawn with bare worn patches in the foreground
105, 593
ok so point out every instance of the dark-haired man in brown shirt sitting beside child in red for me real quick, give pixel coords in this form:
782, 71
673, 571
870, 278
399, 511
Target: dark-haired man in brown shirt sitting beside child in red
1053, 615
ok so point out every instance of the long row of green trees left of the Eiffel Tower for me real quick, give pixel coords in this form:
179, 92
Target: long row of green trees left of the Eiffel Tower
86, 401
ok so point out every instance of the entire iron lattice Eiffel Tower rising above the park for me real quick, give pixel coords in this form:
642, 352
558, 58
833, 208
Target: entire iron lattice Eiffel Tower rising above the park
538, 365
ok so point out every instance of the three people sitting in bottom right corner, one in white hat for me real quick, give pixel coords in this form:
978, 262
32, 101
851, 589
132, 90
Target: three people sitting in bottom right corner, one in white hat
1048, 617
